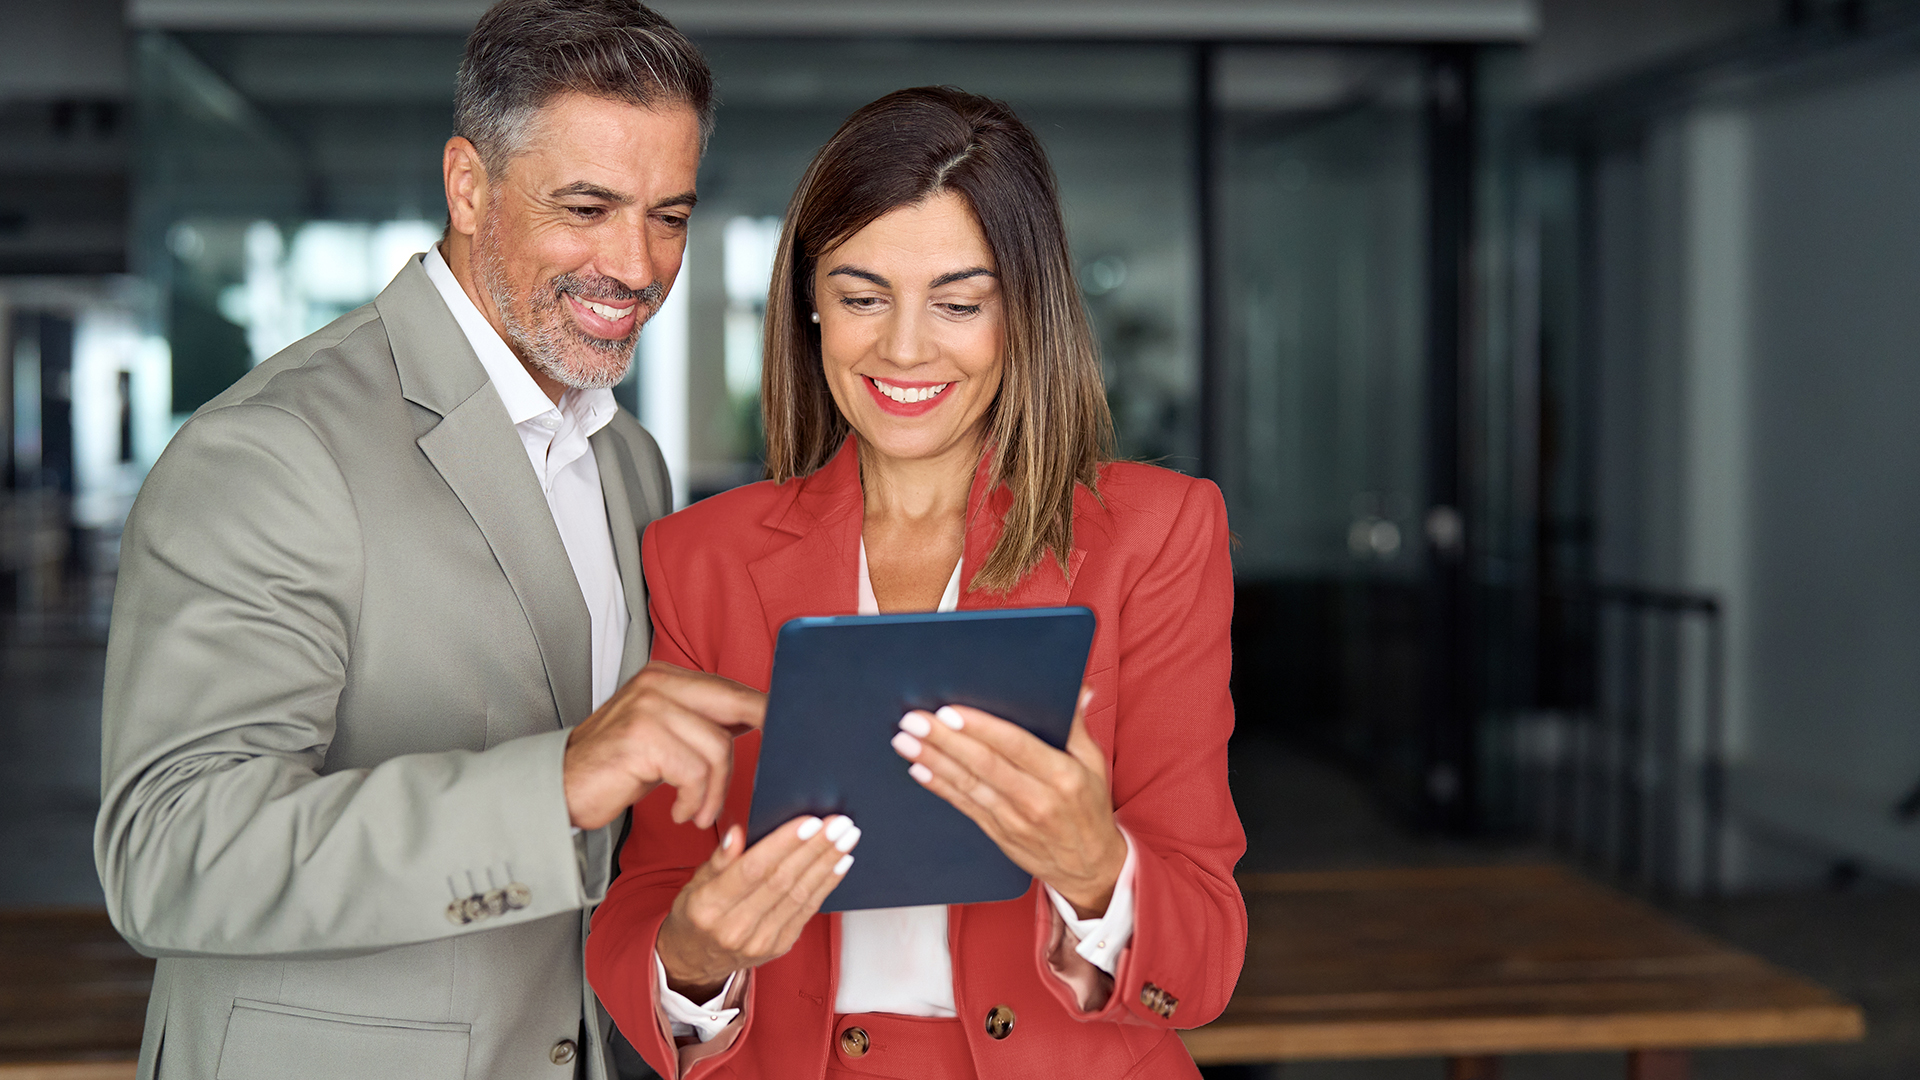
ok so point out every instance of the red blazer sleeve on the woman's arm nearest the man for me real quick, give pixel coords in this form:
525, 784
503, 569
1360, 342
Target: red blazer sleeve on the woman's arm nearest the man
656, 864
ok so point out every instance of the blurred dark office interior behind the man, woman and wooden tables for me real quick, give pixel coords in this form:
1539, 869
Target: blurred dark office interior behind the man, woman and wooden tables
1558, 360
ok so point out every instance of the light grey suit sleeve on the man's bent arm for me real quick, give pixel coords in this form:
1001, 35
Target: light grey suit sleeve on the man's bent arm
222, 833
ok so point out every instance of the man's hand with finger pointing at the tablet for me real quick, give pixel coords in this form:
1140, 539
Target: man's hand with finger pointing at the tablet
667, 725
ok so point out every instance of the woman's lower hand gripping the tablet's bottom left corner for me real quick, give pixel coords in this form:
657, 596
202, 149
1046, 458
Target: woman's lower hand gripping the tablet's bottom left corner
748, 908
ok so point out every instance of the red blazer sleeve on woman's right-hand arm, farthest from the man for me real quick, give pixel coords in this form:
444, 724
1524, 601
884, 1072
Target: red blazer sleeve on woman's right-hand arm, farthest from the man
1170, 785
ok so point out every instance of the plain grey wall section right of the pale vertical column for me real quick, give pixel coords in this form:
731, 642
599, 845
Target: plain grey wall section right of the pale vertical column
1835, 712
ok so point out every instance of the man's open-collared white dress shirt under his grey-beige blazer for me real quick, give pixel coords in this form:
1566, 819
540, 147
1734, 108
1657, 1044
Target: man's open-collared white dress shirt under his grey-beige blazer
556, 439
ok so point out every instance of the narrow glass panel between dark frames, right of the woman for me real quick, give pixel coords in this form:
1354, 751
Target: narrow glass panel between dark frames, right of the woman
1322, 293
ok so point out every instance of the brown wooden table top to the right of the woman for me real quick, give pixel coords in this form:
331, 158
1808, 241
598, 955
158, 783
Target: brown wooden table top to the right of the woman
1474, 964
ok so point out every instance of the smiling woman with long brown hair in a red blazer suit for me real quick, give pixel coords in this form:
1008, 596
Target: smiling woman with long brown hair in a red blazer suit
938, 437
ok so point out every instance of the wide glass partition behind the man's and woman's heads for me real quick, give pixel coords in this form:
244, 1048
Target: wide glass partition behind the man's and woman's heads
285, 178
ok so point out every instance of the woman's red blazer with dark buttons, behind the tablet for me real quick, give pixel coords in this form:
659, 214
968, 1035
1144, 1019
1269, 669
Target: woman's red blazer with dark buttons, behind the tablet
1151, 560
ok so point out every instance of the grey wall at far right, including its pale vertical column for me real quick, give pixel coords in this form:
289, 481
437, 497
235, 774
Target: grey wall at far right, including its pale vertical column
1760, 372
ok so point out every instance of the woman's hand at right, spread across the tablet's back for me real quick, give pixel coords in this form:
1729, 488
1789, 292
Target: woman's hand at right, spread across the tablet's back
1049, 812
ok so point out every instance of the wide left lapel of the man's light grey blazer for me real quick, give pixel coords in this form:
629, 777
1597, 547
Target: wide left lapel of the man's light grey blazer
481, 458
